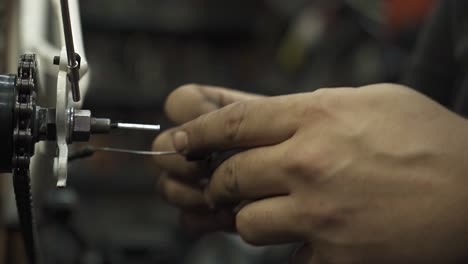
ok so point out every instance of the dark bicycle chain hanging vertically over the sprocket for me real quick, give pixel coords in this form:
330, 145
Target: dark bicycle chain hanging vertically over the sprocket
24, 141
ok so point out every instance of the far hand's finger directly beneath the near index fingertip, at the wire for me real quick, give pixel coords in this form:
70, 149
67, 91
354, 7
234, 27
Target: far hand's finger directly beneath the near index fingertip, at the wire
177, 166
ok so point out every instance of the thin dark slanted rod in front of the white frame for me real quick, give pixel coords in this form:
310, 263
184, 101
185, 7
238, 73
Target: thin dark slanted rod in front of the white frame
73, 64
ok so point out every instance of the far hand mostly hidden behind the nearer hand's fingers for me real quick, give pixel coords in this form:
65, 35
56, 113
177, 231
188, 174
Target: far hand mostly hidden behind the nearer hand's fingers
182, 182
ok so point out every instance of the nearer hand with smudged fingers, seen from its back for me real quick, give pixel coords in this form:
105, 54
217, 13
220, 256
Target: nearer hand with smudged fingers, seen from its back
369, 175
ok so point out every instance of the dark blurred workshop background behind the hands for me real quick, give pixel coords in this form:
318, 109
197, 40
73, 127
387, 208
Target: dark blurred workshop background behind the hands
139, 51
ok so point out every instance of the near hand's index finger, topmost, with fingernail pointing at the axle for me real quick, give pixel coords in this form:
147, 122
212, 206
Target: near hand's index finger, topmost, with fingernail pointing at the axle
251, 123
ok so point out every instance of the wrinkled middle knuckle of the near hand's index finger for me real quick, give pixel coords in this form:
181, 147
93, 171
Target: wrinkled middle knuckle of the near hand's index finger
234, 121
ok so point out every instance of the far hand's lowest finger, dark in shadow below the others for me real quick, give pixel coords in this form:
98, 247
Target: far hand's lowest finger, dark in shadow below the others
208, 221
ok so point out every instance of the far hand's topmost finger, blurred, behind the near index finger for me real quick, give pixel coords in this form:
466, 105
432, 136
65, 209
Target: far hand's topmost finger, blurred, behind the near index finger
190, 101
